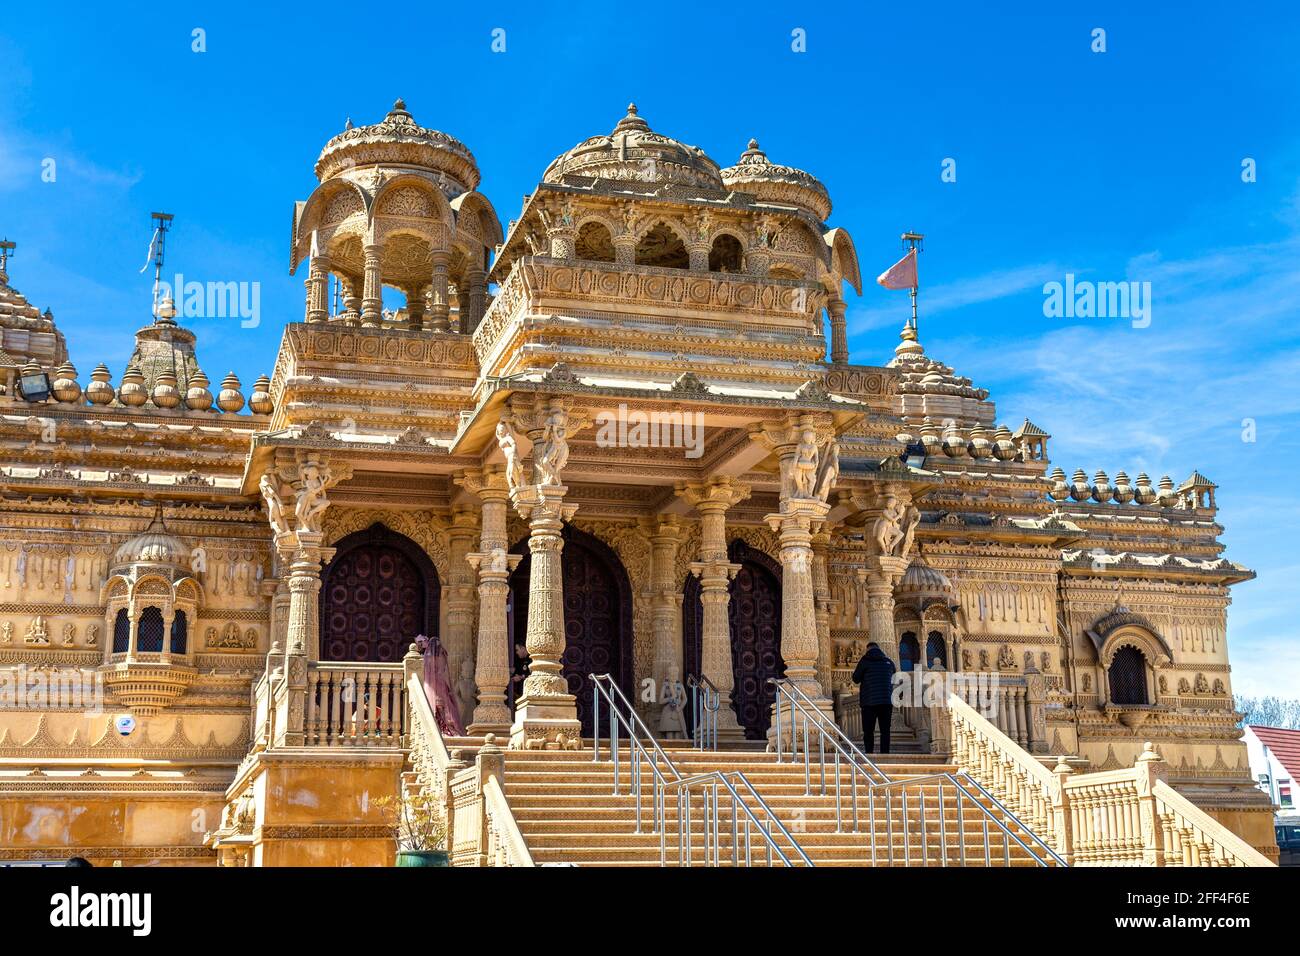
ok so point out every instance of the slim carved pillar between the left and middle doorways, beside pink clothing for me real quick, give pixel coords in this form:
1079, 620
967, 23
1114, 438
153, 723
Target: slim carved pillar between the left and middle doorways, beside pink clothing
493, 660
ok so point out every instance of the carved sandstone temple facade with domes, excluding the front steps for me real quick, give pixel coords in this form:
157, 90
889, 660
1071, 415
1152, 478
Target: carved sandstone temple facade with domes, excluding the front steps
664, 370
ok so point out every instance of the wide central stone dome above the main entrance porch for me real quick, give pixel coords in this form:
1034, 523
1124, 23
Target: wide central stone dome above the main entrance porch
634, 153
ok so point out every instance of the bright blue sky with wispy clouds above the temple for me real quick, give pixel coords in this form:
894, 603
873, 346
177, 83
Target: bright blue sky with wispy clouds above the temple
1125, 165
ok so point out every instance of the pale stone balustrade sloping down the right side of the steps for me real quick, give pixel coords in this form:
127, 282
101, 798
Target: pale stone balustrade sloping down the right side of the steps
1112, 819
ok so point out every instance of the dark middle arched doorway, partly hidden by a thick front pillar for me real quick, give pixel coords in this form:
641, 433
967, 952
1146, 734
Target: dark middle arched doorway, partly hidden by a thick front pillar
597, 620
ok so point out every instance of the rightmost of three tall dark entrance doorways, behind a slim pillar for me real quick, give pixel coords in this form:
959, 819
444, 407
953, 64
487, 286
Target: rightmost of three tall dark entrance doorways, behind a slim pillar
756, 635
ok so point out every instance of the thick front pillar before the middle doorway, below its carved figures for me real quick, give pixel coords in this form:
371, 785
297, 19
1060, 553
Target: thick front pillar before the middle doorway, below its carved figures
547, 710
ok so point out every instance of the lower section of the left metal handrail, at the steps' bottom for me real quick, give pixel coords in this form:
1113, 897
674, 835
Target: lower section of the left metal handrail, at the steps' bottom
709, 784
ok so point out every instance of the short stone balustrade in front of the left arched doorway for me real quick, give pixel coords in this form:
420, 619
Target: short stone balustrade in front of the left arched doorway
356, 706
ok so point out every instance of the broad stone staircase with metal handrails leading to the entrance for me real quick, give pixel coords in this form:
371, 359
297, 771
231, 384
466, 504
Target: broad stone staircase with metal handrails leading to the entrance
567, 814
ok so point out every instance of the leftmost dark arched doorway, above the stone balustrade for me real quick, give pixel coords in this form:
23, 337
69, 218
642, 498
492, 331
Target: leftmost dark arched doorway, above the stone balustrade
378, 594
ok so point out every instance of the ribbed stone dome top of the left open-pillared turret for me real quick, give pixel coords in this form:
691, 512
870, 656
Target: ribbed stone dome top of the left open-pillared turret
398, 141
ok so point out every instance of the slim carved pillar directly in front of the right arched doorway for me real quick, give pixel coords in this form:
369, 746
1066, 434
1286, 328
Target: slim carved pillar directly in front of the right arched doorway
712, 500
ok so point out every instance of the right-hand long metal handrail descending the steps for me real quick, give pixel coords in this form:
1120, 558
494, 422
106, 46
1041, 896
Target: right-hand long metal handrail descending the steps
879, 785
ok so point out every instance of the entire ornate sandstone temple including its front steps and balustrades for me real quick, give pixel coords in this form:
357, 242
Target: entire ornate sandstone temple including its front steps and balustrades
617, 460
